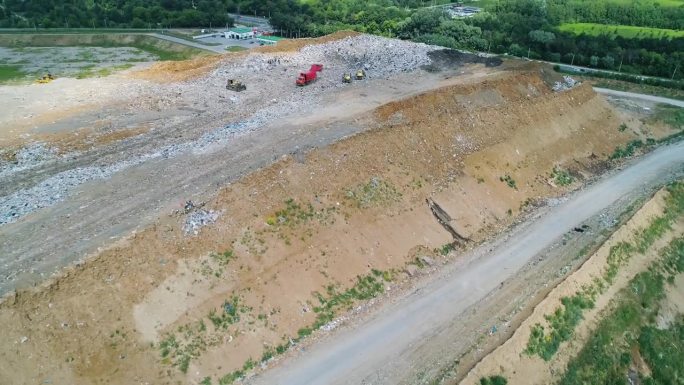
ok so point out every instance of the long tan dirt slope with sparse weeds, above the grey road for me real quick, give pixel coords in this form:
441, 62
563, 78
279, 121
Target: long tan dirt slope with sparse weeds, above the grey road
353, 206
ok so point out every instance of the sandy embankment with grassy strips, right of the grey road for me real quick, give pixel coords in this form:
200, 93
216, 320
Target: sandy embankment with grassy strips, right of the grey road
576, 334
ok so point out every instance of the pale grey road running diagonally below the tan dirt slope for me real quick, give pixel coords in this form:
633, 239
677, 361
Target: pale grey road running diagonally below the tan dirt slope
363, 354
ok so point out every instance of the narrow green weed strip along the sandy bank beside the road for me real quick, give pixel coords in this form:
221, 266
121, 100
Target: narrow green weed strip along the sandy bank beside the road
559, 327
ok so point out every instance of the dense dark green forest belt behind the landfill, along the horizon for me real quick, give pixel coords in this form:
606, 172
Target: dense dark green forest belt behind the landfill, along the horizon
527, 28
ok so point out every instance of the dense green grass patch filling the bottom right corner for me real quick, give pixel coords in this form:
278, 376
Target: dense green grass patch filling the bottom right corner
628, 332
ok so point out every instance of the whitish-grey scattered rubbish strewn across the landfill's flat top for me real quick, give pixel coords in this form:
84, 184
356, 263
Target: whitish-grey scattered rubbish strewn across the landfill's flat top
264, 75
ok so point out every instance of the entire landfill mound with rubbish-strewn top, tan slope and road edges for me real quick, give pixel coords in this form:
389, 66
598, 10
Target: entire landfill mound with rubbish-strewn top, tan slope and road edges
166, 226
